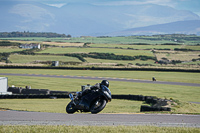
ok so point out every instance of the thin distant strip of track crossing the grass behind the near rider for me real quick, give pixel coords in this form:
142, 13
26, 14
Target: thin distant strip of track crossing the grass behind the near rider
108, 78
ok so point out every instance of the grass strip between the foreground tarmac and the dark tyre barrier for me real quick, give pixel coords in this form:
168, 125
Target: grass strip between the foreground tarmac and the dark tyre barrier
115, 106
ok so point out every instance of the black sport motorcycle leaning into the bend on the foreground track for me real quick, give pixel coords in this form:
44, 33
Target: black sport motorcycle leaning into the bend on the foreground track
93, 102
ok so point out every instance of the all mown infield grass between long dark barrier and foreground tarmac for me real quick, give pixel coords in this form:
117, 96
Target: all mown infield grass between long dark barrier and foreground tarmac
182, 93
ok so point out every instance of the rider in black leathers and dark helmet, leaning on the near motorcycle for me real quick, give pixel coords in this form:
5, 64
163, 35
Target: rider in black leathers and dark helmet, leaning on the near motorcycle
94, 87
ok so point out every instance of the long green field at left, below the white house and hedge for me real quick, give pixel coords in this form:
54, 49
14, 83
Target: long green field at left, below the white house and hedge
32, 58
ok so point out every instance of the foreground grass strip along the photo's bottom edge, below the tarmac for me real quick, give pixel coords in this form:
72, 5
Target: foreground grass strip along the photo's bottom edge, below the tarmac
95, 129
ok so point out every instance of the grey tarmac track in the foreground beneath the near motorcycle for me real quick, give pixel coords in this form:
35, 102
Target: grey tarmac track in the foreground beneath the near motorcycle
42, 118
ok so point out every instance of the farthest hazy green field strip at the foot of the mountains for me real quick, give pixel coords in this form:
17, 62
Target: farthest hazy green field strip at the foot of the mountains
176, 39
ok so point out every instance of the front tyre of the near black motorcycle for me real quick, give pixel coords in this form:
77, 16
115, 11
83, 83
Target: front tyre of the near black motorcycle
98, 106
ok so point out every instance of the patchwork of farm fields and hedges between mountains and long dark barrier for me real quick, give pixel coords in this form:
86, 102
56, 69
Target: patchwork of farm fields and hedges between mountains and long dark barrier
165, 49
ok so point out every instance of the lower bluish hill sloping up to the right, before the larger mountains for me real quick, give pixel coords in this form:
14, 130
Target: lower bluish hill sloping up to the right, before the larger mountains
180, 27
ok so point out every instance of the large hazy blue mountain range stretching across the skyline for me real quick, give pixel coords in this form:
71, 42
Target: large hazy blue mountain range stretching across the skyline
79, 19
